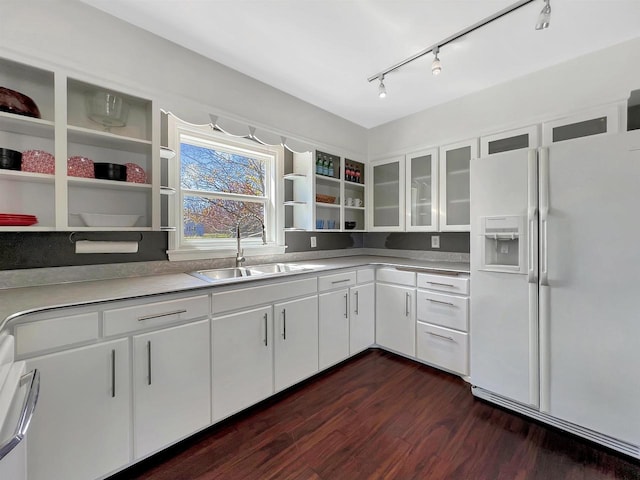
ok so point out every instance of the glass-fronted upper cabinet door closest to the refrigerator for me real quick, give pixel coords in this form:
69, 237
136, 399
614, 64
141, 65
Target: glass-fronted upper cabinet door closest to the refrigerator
454, 185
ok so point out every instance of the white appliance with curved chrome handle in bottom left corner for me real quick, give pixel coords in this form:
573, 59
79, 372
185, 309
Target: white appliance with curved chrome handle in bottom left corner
18, 398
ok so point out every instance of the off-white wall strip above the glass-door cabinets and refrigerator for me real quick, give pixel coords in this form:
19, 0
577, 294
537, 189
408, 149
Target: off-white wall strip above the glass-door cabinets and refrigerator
591, 80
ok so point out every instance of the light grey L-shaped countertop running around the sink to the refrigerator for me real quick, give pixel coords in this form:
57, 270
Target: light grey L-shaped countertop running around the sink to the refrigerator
18, 301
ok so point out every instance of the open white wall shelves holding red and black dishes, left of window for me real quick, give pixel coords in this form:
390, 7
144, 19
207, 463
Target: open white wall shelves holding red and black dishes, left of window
58, 196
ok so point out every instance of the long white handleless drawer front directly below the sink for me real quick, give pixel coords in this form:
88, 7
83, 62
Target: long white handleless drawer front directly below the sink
247, 297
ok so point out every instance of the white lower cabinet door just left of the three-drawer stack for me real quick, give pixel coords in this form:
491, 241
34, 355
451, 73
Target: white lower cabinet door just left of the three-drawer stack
395, 318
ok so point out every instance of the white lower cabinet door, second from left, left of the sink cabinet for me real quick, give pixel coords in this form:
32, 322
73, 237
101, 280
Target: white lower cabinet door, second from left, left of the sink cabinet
171, 385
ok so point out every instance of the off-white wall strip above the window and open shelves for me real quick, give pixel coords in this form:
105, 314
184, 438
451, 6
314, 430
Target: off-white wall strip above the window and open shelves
78, 37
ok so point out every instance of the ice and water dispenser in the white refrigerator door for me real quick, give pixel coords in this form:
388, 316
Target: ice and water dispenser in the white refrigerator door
504, 244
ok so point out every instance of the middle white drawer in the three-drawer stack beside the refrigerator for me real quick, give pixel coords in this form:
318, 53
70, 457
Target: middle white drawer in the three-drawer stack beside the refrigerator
445, 310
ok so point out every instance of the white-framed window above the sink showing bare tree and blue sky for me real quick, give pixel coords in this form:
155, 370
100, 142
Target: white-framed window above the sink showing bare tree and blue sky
222, 183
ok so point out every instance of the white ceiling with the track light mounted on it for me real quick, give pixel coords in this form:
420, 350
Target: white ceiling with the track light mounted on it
323, 51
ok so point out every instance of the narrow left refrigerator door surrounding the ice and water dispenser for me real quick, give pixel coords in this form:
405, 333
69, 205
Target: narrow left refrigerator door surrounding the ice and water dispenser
504, 340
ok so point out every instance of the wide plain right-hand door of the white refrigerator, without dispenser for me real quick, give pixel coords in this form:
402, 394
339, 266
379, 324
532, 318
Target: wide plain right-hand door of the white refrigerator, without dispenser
589, 258
